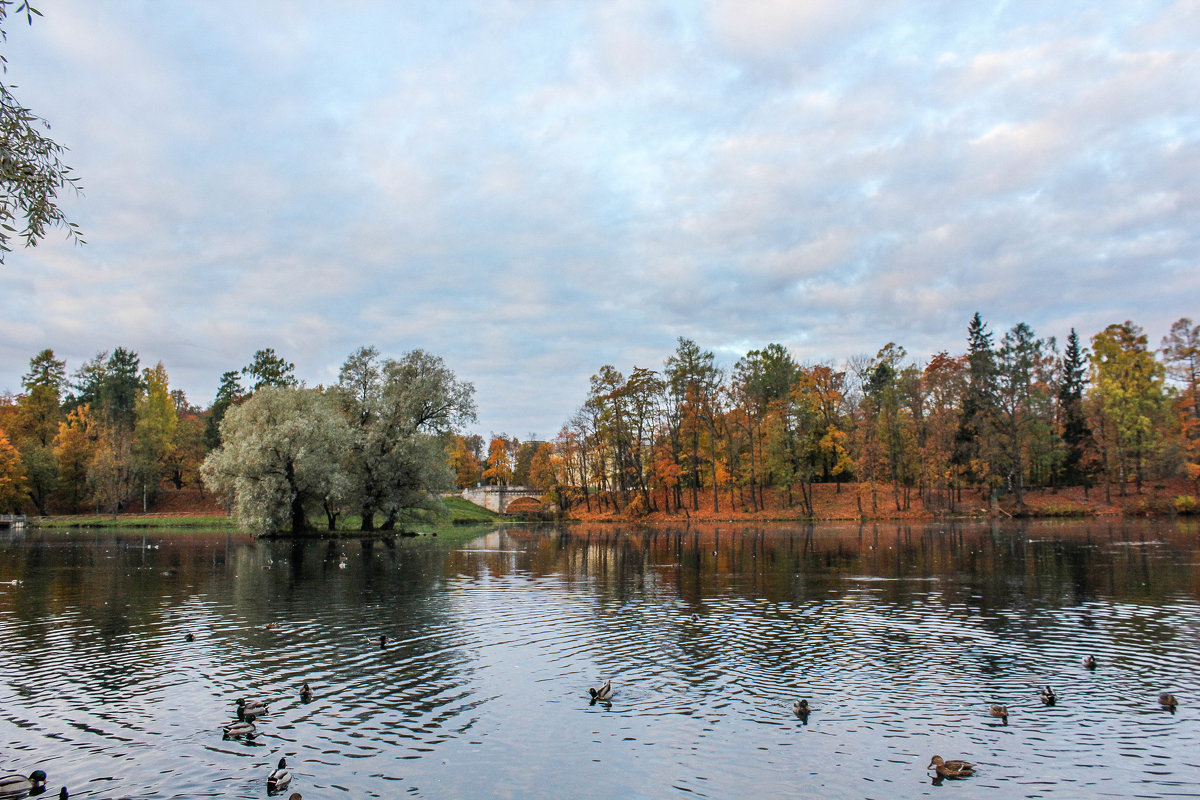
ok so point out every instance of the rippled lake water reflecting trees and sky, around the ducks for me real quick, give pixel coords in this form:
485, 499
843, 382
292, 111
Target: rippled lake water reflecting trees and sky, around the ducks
899, 636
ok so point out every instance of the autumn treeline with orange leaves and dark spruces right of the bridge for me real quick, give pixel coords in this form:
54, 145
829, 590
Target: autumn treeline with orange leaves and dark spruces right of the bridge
999, 419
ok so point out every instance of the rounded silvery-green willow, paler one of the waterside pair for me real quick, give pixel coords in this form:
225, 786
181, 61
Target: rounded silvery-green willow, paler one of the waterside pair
281, 459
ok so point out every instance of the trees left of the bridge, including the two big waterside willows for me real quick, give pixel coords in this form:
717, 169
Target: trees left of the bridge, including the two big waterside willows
115, 435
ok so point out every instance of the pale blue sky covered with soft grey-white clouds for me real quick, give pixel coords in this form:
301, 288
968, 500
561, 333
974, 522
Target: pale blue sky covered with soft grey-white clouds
533, 189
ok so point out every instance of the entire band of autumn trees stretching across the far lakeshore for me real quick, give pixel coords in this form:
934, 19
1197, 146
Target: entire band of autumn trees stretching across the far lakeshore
1003, 418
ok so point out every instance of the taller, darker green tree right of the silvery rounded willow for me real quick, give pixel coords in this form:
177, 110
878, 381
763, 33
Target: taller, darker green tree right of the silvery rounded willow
398, 411
